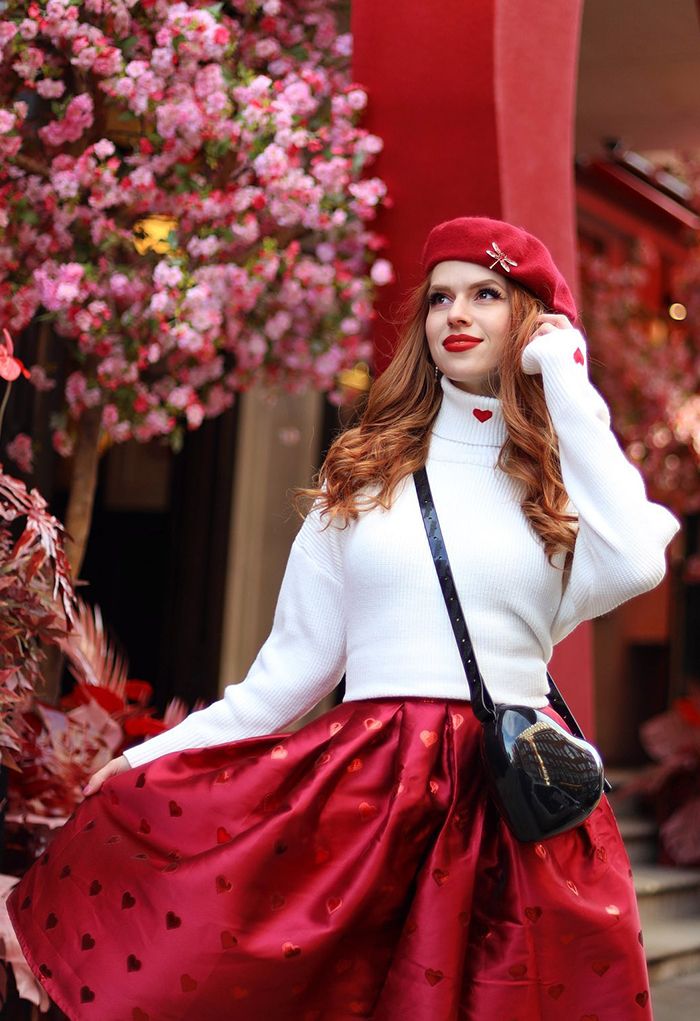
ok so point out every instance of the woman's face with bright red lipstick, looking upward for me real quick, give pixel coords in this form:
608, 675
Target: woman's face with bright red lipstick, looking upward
468, 323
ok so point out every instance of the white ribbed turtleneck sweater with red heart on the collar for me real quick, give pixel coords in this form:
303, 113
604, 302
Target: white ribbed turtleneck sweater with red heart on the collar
365, 600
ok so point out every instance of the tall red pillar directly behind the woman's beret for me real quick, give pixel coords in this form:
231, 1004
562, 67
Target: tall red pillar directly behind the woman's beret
475, 101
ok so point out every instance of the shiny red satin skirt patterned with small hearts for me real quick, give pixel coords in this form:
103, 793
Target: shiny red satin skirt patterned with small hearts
354, 869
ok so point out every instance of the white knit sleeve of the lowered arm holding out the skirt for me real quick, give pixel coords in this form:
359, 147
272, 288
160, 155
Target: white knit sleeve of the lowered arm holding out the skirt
303, 660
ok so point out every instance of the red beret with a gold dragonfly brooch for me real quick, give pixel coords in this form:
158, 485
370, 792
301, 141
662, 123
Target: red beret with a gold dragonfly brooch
509, 251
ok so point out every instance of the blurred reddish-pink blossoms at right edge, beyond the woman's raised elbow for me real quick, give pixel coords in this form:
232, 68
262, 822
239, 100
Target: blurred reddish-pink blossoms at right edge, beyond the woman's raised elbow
647, 367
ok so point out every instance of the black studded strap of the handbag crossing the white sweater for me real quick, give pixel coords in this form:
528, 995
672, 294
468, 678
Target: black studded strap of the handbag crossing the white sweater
482, 702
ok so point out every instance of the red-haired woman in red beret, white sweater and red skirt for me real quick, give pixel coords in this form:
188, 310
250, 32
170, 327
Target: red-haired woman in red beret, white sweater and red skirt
358, 868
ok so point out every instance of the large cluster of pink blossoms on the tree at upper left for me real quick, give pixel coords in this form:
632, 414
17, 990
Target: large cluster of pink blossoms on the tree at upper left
186, 193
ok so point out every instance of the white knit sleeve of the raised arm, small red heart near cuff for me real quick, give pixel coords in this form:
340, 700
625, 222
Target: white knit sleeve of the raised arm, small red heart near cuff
622, 536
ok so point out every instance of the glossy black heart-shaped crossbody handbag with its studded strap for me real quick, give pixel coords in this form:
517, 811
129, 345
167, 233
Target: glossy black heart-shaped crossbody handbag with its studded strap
544, 780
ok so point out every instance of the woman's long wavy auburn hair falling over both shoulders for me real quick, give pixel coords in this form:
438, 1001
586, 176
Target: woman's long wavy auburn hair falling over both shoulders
367, 462
